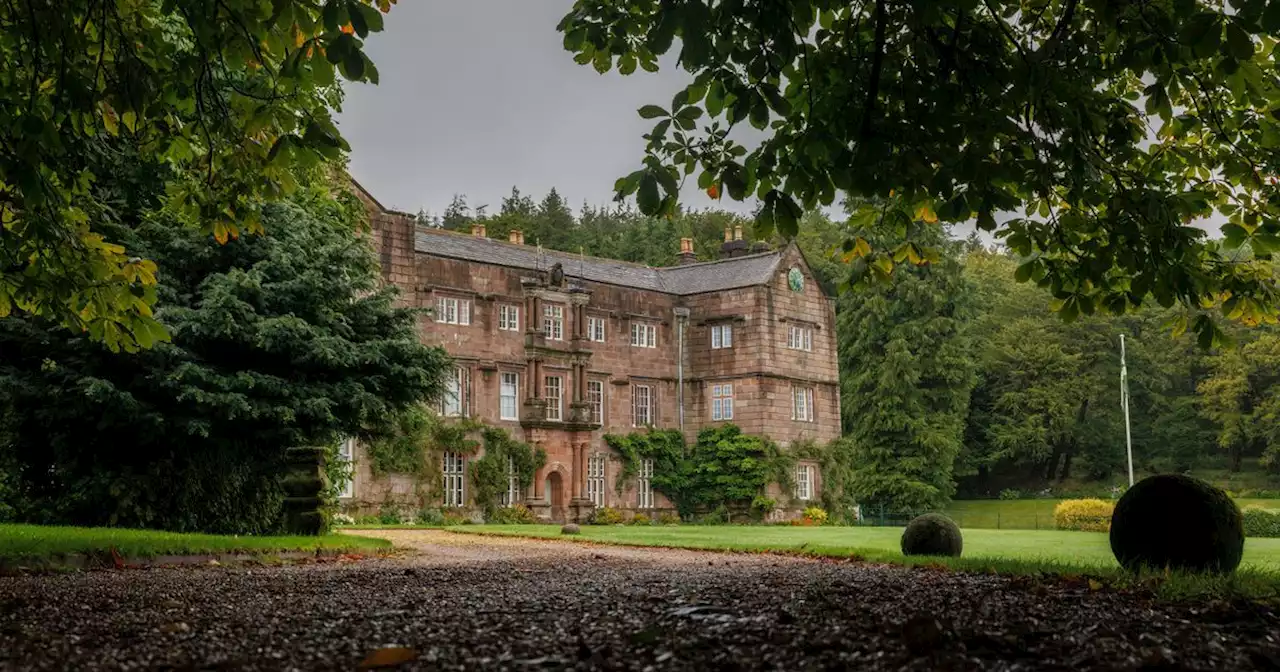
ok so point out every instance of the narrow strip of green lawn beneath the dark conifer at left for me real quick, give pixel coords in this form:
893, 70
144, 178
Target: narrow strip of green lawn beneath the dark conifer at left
47, 542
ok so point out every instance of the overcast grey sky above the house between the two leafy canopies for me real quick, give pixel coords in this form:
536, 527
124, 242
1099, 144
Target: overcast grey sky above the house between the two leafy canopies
479, 95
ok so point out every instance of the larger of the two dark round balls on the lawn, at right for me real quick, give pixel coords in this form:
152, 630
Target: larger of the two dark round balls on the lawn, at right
1178, 523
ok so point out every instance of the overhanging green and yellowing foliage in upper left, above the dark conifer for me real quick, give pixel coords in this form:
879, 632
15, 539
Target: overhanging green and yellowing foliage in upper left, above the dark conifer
227, 95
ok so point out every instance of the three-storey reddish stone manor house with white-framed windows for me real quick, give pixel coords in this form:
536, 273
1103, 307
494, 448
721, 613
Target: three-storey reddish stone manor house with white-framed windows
561, 350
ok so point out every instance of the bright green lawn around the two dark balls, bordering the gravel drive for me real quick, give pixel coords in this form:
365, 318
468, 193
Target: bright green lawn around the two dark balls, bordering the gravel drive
1037, 555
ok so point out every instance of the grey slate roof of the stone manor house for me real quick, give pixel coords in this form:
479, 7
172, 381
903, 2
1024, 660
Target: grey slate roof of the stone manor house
688, 280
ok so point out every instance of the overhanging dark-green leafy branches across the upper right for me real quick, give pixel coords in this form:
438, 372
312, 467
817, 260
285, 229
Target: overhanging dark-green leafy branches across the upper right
1090, 136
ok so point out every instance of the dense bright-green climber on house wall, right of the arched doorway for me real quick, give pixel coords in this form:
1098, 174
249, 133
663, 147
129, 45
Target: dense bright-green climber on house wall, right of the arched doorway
725, 468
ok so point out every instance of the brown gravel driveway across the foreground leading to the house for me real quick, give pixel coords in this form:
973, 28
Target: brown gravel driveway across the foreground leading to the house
465, 602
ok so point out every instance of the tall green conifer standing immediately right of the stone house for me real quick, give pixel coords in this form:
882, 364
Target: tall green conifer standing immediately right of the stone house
906, 383
